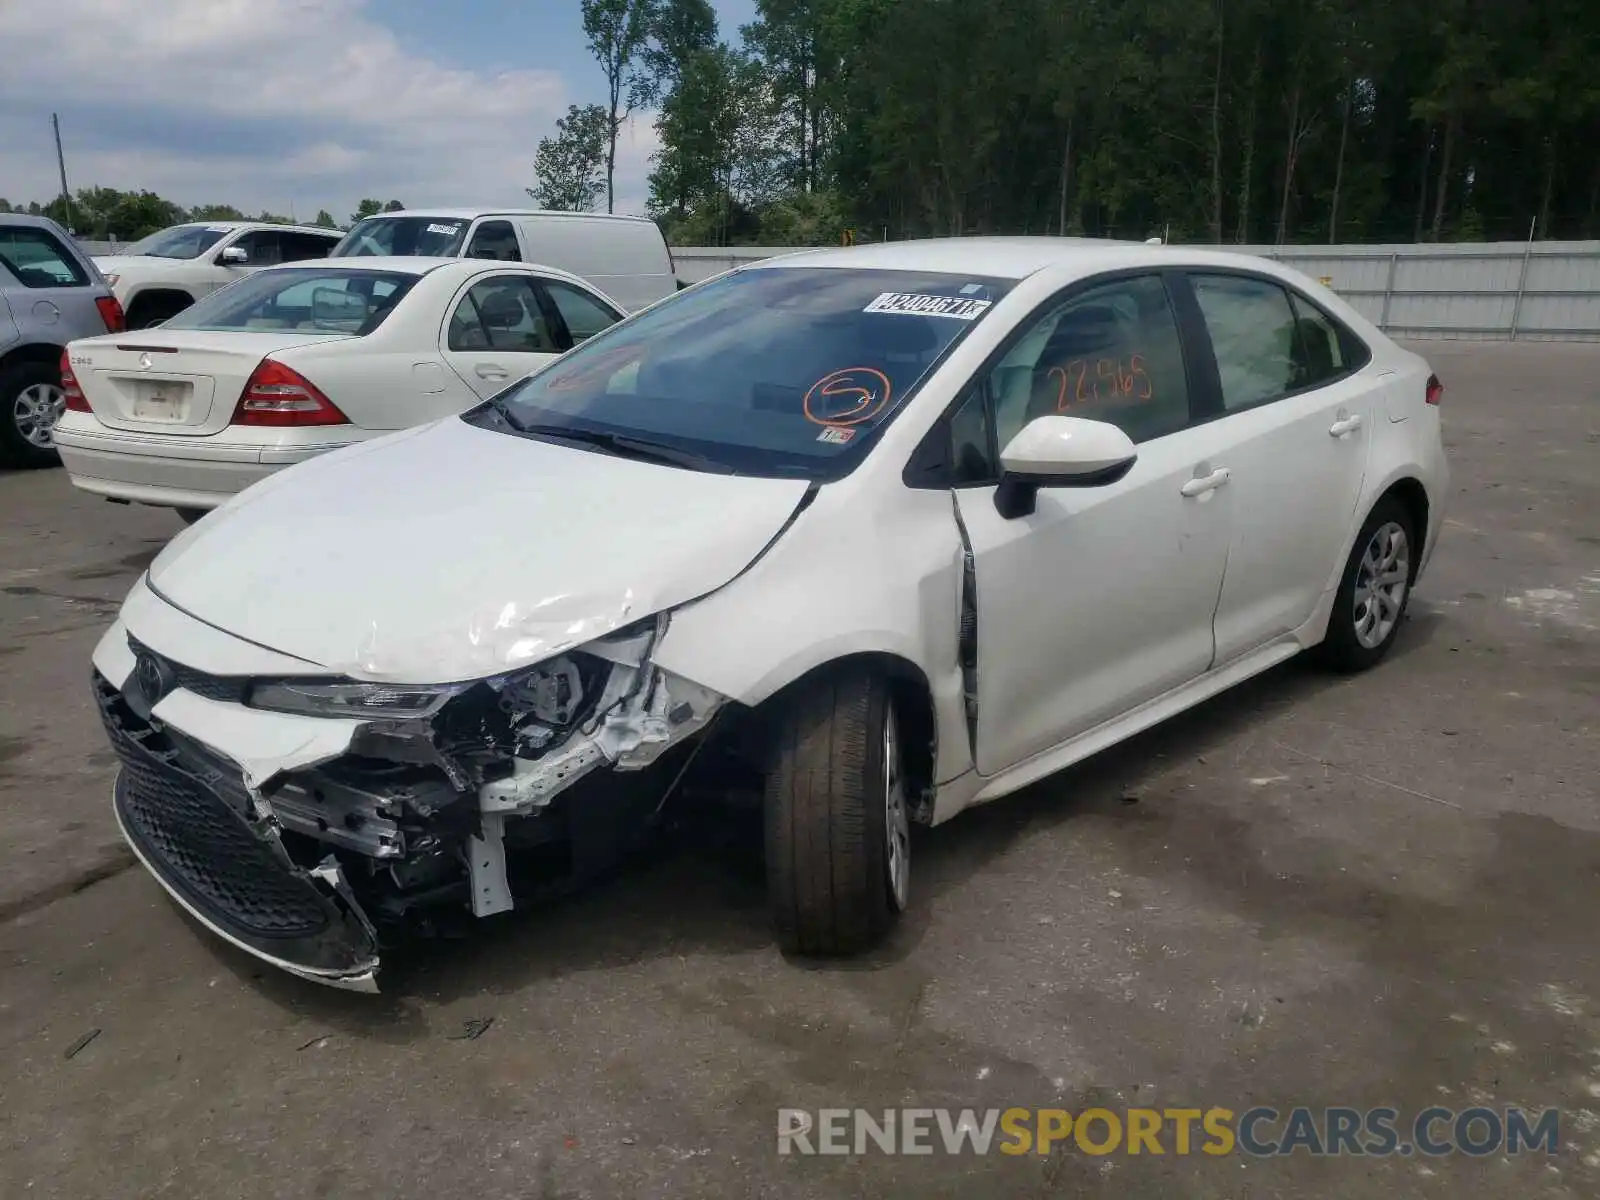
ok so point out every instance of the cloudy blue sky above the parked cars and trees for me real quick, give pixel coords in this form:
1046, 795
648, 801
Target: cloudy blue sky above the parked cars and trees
302, 105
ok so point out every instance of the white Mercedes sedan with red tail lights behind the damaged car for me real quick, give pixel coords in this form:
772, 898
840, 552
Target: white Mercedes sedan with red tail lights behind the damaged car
302, 359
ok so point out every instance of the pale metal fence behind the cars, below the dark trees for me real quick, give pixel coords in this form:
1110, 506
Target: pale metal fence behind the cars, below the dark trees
1487, 290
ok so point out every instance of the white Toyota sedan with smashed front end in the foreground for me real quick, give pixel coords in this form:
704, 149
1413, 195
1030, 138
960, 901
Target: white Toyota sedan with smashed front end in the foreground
865, 537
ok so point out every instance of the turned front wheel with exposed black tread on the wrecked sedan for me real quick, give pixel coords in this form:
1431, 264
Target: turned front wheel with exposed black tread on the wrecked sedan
826, 820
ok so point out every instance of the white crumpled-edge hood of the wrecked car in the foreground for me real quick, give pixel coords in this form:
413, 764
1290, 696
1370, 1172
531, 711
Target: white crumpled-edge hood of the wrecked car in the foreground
452, 553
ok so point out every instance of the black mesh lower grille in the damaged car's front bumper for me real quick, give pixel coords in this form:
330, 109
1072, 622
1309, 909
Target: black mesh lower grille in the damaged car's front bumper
199, 844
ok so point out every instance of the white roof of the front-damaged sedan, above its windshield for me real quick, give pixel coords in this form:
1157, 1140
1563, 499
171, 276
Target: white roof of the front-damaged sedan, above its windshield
996, 257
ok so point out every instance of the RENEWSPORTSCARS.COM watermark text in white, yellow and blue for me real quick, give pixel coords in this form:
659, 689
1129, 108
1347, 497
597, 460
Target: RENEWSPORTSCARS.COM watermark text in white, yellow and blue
1260, 1132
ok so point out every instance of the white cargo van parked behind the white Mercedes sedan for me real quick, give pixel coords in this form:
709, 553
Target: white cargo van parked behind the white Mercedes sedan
625, 257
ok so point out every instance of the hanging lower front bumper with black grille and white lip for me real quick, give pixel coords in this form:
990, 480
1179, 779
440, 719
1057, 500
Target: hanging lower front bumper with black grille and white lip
193, 825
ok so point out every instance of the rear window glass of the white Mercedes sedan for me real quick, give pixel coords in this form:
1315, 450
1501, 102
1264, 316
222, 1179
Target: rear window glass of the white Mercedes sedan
300, 302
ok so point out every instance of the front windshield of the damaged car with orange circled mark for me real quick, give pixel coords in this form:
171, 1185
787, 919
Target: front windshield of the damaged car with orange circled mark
766, 372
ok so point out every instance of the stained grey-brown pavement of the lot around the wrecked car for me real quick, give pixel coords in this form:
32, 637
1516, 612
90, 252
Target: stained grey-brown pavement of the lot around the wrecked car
1316, 892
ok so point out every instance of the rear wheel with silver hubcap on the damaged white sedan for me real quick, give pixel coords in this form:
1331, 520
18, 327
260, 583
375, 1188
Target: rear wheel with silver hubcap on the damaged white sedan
1374, 591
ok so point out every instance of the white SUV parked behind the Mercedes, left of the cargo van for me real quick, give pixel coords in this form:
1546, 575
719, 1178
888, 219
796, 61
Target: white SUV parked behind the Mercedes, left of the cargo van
169, 271
